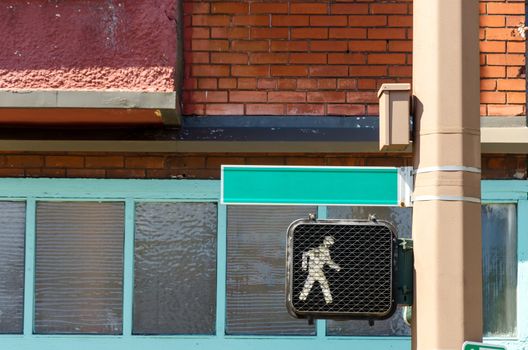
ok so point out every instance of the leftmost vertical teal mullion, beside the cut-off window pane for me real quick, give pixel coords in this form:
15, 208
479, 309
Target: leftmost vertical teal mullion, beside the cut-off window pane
29, 274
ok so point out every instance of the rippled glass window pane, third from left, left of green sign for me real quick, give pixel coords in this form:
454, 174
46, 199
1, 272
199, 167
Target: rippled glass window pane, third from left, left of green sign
175, 268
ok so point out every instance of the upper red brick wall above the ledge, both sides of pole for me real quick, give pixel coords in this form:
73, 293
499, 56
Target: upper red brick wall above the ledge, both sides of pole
295, 57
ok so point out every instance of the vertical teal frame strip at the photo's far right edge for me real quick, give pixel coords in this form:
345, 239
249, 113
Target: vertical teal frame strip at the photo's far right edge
522, 270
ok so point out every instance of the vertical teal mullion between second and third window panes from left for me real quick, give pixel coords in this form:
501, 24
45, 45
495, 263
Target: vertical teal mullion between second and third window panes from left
128, 268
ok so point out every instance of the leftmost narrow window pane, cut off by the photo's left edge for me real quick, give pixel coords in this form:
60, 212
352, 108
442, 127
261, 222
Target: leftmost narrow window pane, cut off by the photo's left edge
12, 229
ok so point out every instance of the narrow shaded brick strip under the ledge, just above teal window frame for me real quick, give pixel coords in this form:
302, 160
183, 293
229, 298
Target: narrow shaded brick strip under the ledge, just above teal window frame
201, 166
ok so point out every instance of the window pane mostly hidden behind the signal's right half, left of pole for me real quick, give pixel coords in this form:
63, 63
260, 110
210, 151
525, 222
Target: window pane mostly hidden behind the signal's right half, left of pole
401, 218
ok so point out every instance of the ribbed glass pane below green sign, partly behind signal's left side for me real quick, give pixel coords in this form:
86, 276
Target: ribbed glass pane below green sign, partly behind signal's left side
256, 262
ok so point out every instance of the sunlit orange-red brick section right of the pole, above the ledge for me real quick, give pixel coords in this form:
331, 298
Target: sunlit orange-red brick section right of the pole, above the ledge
503, 80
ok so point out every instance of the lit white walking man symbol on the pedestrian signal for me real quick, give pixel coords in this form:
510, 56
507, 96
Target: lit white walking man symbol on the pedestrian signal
314, 261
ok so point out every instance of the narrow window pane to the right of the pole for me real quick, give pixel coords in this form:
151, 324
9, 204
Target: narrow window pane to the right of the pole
499, 265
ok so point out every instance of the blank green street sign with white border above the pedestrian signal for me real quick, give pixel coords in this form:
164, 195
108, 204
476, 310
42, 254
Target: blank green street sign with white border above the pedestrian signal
387, 186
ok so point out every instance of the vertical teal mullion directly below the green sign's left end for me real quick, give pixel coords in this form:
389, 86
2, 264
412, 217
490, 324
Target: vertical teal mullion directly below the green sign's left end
221, 274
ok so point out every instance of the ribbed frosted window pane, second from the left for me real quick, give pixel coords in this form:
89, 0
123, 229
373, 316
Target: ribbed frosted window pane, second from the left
79, 267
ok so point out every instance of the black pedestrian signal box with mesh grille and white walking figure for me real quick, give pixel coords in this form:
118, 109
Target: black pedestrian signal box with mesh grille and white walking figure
342, 269
